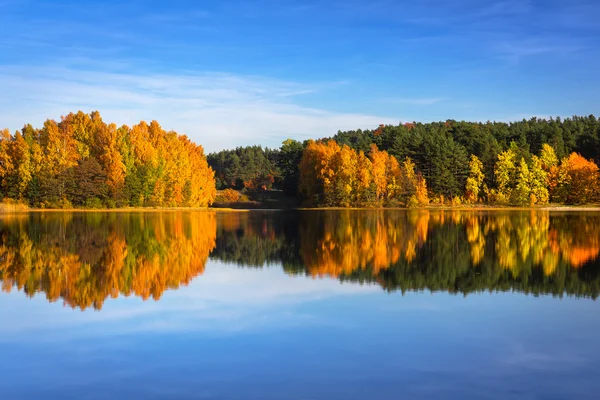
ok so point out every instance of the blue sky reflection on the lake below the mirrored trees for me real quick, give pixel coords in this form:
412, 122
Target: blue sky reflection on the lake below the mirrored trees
258, 333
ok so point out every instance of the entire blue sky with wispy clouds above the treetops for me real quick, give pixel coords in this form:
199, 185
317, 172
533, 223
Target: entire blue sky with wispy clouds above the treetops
231, 73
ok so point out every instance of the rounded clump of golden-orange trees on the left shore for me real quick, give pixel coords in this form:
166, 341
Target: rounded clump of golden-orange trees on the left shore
83, 161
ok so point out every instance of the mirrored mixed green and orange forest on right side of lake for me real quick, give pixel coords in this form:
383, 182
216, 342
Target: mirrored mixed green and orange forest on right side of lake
456, 251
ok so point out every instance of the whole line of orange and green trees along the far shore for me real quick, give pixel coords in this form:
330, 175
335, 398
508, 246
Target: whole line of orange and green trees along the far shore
83, 161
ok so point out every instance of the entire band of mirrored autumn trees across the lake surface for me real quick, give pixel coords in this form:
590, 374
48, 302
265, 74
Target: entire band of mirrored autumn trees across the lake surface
86, 258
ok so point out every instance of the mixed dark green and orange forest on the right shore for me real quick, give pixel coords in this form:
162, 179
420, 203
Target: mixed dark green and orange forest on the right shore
524, 163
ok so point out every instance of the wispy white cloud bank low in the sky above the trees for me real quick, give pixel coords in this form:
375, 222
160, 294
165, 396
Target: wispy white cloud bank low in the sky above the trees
214, 109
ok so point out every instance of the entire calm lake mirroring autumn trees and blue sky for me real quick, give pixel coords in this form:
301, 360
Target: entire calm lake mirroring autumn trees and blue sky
300, 305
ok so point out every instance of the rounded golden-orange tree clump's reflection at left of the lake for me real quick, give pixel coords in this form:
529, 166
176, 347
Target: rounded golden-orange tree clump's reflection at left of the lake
85, 258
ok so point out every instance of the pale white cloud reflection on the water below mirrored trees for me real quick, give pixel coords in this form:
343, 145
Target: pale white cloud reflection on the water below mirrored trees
225, 299
